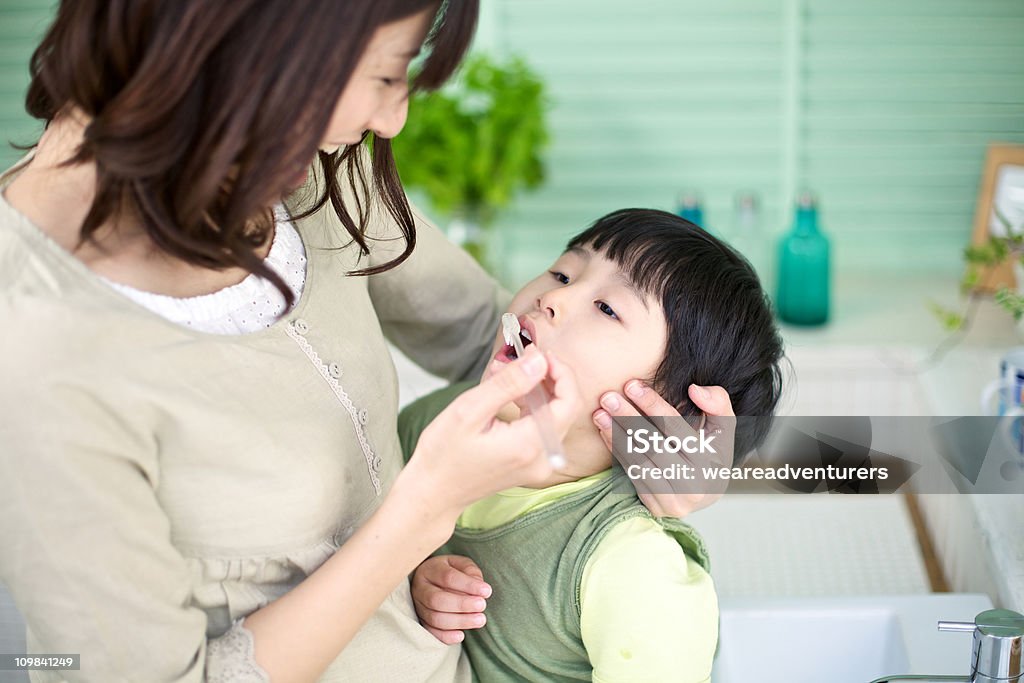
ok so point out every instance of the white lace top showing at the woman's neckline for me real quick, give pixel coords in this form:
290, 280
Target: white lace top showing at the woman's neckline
249, 307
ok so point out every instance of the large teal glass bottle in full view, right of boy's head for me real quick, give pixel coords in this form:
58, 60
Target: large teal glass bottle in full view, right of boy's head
802, 297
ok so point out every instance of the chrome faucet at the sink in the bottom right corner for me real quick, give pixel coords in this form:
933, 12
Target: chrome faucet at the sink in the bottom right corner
997, 657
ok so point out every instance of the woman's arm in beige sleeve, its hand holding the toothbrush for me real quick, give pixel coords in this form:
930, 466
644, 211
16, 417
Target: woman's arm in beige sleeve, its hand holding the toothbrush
88, 551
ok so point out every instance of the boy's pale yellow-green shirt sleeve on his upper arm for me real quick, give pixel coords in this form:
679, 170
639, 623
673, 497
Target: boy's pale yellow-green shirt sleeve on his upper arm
649, 614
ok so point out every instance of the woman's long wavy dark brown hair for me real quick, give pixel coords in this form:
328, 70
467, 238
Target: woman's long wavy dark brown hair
202, 111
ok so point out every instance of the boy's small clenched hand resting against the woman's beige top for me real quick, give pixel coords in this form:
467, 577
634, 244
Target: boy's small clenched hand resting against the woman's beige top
450, 593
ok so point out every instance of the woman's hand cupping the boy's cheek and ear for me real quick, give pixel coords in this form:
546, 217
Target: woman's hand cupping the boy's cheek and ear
671, 498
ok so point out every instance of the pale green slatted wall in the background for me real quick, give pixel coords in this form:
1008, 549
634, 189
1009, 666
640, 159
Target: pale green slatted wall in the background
882, 107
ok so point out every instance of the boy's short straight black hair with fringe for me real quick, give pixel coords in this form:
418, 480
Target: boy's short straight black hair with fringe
721, 331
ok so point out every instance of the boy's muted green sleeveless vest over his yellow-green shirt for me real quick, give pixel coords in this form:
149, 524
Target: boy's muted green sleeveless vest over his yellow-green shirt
536, 564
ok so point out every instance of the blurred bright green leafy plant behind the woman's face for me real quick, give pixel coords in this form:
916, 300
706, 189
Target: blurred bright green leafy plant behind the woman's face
474, 145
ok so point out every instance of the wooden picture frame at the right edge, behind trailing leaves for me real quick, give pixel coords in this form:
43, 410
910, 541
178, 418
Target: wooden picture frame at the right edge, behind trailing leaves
1003, 187
